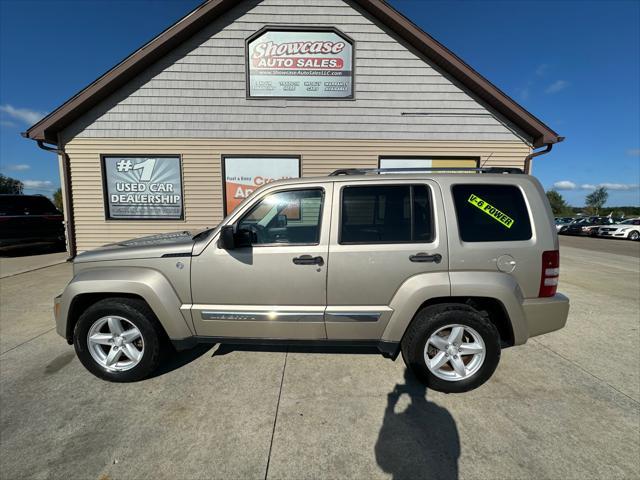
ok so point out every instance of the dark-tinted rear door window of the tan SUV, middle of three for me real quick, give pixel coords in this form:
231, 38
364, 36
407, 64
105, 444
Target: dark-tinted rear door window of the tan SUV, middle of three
386, 214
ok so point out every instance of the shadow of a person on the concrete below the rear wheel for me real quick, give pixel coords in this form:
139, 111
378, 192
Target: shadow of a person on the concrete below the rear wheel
419, 442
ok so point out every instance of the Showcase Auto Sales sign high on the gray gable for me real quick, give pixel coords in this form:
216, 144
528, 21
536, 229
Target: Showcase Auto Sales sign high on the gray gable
300, 64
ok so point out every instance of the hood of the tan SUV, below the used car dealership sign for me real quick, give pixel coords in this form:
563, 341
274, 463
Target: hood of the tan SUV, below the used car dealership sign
153, 246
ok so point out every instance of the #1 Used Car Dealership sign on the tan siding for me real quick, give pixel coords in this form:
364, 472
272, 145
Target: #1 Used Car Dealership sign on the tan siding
143, 187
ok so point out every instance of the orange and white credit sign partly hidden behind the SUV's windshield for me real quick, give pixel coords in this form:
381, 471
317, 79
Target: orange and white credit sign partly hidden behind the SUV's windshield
244, 174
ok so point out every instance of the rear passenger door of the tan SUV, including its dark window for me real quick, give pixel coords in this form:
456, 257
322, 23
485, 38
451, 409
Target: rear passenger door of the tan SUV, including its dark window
383, 233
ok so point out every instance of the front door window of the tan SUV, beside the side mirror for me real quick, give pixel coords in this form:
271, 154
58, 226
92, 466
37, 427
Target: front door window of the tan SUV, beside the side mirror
291, 217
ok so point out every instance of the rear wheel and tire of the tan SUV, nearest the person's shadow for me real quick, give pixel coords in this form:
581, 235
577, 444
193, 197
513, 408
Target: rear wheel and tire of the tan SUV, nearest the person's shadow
478, 367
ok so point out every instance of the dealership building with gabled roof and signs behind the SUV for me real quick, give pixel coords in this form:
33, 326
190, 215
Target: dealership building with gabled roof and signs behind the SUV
241, 92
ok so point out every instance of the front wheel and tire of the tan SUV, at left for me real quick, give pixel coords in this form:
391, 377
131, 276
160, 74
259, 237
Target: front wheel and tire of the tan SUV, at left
140, 331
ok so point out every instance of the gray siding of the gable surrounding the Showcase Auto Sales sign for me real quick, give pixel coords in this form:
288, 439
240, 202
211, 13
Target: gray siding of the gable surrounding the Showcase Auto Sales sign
198, 91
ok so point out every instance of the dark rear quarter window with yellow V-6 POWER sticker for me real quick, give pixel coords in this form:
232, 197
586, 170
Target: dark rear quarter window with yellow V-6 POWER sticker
491, 213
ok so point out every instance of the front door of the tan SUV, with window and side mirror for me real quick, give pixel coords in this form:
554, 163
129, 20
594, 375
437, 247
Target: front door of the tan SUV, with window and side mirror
276, 287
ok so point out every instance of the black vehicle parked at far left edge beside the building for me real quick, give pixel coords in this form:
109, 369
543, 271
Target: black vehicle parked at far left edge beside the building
29, 220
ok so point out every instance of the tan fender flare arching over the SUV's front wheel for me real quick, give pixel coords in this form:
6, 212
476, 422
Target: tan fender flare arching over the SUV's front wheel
149, 284
